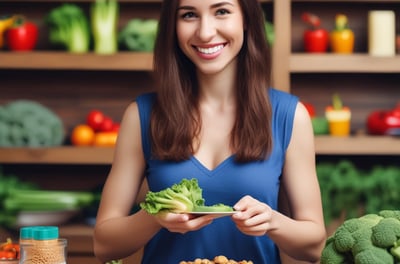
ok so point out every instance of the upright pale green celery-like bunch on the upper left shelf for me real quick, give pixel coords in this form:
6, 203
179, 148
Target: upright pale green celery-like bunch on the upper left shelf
104, 18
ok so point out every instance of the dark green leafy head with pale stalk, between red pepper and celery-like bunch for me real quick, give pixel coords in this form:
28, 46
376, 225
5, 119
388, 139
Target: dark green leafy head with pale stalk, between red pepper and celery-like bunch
69, 26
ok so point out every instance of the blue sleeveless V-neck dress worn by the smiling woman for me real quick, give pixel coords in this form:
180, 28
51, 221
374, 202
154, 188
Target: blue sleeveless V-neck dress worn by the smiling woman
227, 183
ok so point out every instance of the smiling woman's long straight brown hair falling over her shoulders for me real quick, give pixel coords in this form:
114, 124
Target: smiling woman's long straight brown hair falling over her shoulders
174, 120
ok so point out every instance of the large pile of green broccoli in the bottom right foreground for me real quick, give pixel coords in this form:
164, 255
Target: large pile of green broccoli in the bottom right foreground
369, 239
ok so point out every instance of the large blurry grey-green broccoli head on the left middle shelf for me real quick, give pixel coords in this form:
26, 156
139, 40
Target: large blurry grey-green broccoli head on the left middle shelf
29, 123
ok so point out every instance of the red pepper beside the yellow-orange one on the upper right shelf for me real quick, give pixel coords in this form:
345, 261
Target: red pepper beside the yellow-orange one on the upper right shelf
316, 40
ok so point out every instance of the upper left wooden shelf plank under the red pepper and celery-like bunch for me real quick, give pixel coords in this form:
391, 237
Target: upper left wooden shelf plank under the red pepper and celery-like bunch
56, 60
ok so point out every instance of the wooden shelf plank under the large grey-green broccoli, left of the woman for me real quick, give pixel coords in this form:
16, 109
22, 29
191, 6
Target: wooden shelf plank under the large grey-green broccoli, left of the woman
57, 155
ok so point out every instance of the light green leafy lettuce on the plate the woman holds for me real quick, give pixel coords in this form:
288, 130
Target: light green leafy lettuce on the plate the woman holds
183, 197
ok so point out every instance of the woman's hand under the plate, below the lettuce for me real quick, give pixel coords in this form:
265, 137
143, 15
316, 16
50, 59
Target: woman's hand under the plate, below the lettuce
182, 223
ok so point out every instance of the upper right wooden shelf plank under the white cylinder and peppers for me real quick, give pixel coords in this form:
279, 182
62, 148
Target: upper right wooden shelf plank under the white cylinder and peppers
353, 63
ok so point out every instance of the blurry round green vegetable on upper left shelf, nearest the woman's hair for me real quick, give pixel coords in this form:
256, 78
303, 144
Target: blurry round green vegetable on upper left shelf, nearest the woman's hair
139, 34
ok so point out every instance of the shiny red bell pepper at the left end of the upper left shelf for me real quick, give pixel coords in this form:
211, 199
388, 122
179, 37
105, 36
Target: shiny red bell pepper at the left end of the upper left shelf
22, 36
